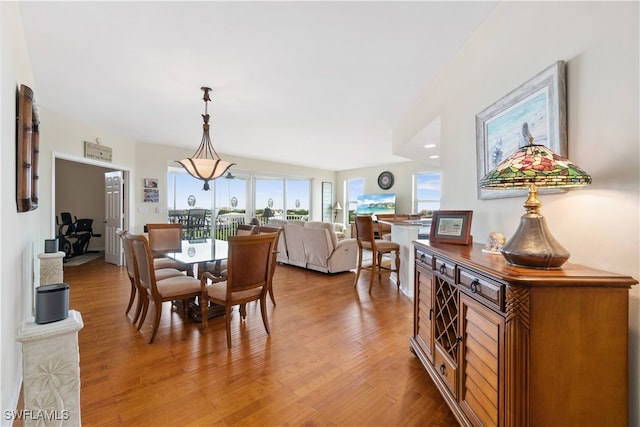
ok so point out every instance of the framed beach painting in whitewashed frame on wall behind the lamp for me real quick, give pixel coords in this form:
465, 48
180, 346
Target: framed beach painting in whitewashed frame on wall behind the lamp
536, 109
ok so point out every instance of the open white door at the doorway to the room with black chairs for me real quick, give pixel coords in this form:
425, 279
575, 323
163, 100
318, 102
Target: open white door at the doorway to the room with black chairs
113, 184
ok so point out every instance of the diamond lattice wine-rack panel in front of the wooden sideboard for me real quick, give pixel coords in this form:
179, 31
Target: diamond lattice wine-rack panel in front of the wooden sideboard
446, 316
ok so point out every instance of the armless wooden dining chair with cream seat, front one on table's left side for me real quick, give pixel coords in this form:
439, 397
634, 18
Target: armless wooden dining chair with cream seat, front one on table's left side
180, 287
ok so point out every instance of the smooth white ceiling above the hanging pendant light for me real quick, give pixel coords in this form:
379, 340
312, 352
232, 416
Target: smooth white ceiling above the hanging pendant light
318, 84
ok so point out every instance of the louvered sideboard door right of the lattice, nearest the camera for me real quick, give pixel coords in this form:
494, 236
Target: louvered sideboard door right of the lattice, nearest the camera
481, 366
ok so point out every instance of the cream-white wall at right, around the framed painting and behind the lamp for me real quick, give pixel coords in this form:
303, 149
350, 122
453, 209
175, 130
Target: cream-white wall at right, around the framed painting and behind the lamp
598, 225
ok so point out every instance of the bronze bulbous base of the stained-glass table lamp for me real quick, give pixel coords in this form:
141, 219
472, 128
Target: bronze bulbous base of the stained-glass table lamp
532, 245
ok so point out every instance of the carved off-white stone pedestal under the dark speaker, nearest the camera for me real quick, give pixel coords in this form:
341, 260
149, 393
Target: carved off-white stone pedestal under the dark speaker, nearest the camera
51, 370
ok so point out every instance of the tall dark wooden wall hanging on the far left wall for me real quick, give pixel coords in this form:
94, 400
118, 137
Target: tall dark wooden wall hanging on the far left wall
27, 150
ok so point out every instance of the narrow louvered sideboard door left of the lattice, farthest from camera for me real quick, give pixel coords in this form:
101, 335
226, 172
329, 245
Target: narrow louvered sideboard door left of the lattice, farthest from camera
424, 311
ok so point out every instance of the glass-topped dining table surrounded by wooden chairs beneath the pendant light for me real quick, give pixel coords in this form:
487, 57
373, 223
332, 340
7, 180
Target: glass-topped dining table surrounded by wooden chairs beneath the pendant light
201, 255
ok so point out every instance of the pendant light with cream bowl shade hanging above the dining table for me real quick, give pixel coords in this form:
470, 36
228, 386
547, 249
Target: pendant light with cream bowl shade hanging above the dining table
205, 164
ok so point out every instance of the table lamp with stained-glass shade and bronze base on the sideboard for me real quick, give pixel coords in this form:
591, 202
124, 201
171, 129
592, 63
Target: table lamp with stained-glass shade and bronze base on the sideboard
533, 167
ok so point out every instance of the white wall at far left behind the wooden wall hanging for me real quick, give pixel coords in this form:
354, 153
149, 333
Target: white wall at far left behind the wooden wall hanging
20, 231
